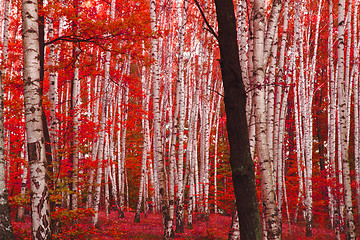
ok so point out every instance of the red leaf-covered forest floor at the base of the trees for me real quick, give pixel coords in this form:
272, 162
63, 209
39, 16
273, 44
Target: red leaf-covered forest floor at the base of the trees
150, 228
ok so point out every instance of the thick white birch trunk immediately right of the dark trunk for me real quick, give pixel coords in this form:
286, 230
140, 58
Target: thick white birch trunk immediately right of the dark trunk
267, 187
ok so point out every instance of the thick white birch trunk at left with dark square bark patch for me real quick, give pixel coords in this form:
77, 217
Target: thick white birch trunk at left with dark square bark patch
40, 206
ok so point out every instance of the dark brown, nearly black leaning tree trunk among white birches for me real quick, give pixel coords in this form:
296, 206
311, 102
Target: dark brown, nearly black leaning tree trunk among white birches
241, 162
